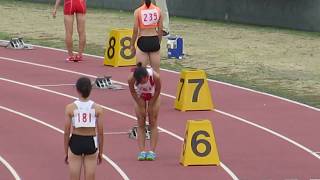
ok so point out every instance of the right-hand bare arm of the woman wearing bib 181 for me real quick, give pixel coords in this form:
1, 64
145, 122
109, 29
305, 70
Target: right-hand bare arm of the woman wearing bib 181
100, 131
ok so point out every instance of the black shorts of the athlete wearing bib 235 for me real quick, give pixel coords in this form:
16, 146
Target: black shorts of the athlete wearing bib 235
149, 43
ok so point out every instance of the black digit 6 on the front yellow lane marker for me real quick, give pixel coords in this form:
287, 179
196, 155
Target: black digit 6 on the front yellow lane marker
195, 143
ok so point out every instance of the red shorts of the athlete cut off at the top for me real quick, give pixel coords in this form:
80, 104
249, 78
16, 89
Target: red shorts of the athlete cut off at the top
74, 6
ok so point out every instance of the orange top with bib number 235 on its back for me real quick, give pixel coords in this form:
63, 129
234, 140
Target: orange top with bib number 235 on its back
148, 17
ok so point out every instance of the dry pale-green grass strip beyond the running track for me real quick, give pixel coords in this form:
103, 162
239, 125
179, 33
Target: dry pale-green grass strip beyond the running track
278, 61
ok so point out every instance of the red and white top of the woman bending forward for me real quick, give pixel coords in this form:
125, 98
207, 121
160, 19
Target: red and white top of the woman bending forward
146, 90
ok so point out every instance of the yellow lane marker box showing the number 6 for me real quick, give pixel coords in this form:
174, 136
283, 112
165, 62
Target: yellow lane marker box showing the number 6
199, 146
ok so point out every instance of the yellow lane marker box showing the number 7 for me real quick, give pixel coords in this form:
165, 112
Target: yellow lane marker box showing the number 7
193, 92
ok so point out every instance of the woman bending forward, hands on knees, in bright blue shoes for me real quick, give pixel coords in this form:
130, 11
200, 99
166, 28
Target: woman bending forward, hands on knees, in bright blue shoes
145, 86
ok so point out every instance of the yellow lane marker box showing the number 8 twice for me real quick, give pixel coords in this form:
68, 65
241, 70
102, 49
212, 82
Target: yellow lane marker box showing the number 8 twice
118, 51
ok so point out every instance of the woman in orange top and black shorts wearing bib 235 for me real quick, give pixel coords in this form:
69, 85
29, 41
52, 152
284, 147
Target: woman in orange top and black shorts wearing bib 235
148, 29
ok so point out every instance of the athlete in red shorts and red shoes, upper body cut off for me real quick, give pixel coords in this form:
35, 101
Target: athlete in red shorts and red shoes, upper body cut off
71, 7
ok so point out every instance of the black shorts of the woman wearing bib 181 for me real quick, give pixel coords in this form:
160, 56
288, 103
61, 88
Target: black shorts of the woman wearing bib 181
82, 145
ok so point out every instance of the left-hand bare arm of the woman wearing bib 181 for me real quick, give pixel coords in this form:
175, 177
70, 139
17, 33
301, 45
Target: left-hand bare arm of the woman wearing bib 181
67, 127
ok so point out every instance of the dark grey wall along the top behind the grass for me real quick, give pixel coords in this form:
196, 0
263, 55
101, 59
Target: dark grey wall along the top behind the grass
294, 14
